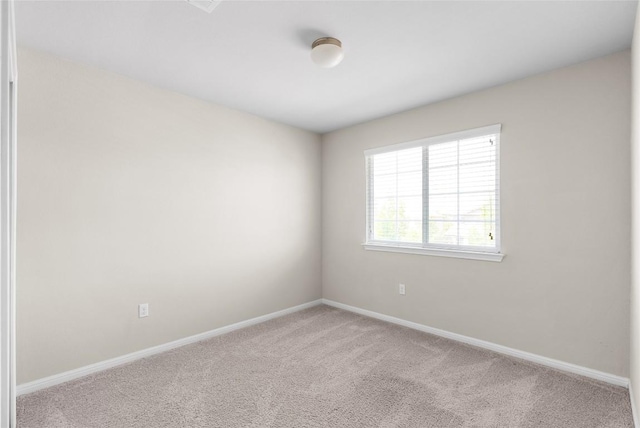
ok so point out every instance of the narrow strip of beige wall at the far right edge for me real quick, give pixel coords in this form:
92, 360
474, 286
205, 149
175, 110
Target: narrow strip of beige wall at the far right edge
635, 265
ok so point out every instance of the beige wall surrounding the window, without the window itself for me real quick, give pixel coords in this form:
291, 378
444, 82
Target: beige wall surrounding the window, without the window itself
562, 290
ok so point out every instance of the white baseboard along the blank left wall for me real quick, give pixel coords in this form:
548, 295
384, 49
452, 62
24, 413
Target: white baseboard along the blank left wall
49, 381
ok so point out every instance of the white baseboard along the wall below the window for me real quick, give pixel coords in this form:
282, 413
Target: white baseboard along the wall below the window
549, 362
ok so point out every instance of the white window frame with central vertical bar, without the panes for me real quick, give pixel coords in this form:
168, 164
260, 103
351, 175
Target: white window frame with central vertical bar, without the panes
444, 250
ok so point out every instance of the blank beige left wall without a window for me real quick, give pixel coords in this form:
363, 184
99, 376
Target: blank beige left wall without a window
131, 194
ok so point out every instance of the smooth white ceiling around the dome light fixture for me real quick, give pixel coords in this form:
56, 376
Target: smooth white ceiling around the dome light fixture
254, 55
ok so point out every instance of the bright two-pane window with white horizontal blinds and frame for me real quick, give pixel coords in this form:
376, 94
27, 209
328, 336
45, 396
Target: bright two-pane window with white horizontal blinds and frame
437, 196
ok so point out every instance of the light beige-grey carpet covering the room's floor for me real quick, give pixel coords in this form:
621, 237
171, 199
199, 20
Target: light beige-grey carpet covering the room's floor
324, 367
